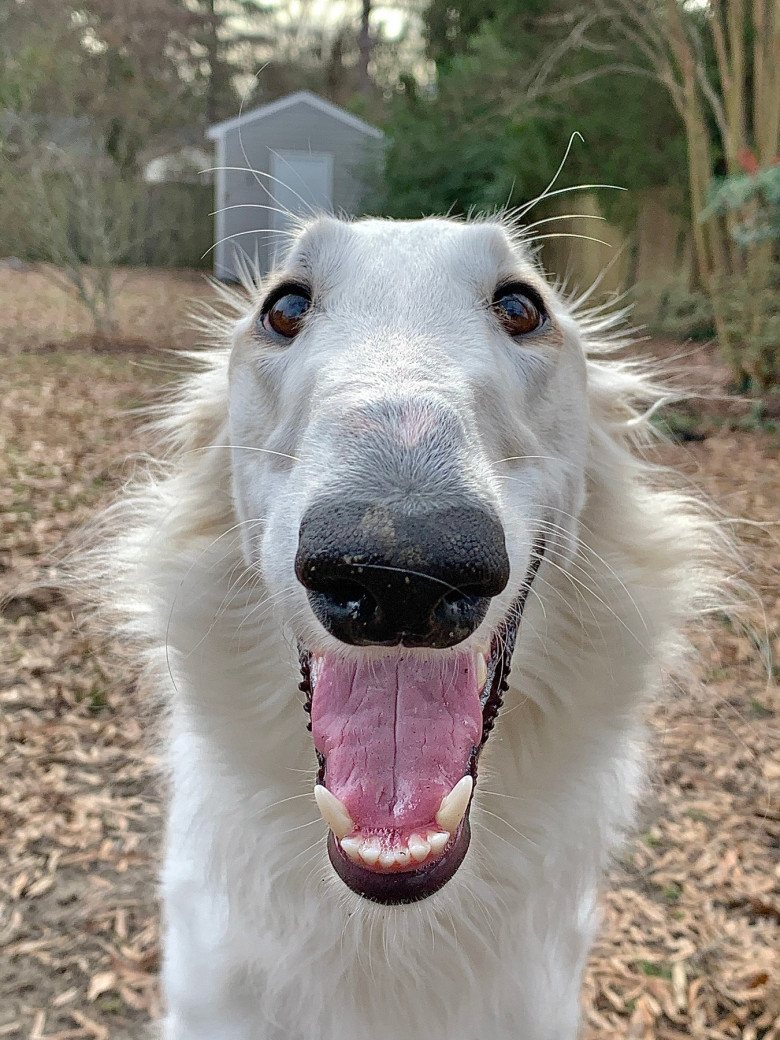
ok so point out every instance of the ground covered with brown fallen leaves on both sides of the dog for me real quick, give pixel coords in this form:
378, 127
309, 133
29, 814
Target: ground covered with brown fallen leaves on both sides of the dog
692, 908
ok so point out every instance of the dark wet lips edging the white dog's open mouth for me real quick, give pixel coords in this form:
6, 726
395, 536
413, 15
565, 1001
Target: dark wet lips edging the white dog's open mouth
411, 887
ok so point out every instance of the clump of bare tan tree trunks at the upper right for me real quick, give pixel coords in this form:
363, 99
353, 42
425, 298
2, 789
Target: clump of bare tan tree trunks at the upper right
742, 103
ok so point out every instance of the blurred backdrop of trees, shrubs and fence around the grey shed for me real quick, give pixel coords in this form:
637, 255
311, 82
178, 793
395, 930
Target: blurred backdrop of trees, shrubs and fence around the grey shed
678, 101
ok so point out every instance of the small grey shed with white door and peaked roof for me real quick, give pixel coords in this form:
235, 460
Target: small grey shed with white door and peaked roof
308, 154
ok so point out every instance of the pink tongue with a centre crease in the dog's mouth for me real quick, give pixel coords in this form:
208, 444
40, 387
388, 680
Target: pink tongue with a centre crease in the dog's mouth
397, 734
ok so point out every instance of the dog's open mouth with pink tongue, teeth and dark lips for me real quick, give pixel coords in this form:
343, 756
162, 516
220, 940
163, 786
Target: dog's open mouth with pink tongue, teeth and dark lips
399, 739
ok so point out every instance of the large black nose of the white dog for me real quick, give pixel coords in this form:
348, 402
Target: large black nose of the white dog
378, 575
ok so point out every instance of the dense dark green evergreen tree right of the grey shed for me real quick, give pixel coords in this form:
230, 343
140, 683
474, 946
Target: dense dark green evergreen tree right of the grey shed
513, 83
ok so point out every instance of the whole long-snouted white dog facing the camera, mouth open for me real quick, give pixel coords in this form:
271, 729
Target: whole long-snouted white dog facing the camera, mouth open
409, 488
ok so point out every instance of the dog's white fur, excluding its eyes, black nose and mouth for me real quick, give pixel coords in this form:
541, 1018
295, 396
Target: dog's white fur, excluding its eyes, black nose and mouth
263, 941
